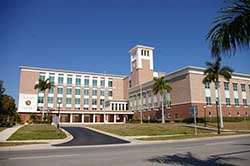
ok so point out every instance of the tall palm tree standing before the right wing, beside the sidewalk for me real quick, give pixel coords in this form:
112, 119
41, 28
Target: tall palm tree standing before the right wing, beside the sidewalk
212, 74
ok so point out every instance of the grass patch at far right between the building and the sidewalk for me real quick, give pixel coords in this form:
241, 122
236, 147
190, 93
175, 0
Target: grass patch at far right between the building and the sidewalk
243, 125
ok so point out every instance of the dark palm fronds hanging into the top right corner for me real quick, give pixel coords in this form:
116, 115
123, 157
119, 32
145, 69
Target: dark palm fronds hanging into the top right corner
231, 29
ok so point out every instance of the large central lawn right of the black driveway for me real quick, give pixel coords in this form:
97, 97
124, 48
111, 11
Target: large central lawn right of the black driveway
148, 129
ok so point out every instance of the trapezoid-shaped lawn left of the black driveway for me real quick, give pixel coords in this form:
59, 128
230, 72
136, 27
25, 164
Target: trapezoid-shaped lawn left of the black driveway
37, 132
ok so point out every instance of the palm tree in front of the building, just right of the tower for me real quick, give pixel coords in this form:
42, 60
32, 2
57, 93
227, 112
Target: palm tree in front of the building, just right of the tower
161, 85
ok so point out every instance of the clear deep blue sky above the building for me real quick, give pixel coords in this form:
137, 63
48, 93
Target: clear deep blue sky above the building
91, 35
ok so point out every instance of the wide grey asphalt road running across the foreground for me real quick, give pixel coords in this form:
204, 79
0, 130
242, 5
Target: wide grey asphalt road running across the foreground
223, 151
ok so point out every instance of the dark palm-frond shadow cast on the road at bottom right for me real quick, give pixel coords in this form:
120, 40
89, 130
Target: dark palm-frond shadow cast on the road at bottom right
189, 159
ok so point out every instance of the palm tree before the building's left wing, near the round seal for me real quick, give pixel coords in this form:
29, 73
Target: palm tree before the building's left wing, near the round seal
42, 86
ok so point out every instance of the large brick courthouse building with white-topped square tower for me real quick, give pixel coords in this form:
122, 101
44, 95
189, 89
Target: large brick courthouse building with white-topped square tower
108, 98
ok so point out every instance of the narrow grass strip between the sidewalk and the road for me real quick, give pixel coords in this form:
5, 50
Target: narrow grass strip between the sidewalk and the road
188, 136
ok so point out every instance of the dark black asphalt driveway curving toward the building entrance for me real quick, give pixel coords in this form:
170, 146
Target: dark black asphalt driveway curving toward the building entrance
83, 136
